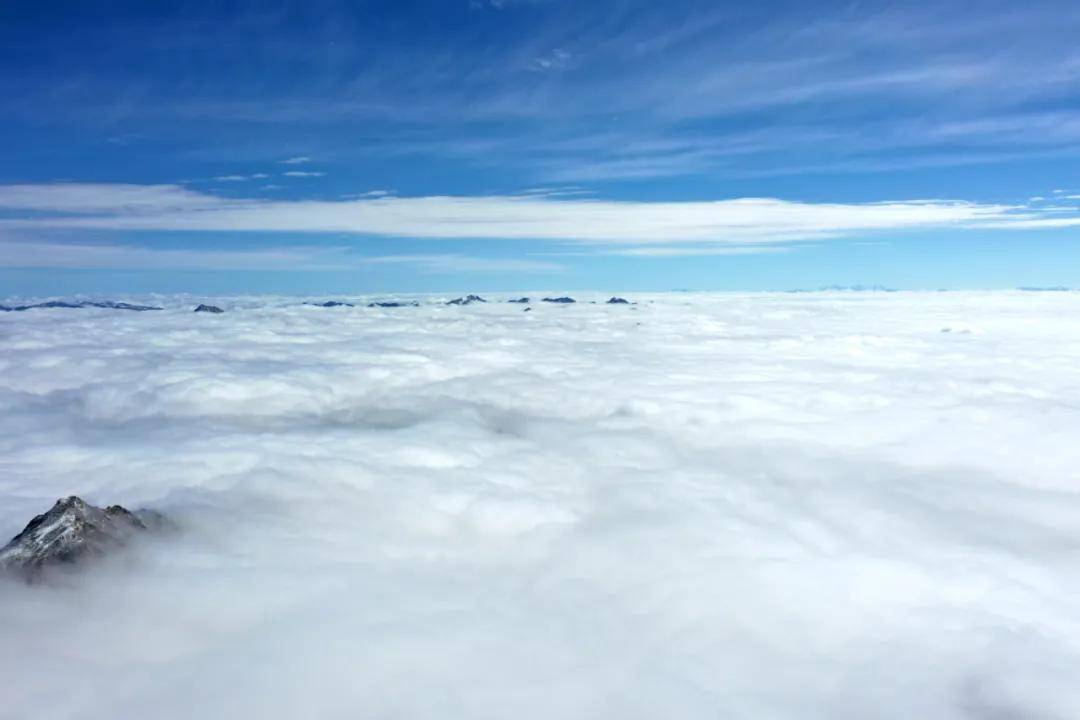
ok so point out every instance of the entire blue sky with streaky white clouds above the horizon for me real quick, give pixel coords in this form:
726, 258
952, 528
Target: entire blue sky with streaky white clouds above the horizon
498, 145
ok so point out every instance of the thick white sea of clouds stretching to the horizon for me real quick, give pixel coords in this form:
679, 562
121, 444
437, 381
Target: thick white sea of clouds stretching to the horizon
794, 506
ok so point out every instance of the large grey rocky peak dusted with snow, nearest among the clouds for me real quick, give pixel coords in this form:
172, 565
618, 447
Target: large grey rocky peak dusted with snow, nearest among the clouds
72, 533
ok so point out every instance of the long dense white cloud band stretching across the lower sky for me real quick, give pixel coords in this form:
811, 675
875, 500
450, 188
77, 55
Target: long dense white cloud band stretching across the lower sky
528, 218
